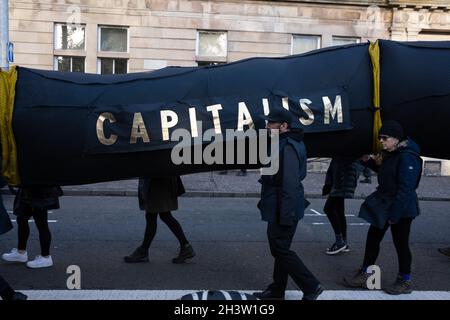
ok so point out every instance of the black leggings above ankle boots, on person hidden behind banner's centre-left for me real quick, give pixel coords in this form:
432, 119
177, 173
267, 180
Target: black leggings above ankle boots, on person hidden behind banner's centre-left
169, 220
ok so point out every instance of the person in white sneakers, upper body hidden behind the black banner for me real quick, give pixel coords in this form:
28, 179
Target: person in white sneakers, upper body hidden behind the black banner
34, 201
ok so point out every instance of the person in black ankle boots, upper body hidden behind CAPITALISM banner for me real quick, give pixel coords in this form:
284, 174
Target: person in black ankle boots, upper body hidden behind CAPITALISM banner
159, 196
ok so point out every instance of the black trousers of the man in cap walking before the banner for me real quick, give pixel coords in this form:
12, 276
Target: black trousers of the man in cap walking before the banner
287, 262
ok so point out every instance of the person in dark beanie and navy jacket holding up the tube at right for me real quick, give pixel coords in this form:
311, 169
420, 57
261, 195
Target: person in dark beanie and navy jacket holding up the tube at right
394, 204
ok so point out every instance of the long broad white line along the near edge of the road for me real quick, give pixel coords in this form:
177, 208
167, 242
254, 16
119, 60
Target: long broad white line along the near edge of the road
177, 294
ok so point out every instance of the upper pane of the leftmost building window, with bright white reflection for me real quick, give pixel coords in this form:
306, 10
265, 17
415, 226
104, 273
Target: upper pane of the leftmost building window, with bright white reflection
69, 37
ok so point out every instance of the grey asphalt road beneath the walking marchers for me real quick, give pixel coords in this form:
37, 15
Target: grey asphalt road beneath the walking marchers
229, 238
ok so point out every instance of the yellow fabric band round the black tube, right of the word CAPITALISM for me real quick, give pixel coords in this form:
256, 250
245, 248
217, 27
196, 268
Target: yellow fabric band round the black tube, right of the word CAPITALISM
374, 51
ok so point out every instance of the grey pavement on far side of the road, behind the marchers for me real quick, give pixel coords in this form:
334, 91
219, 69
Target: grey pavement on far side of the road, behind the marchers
213, 184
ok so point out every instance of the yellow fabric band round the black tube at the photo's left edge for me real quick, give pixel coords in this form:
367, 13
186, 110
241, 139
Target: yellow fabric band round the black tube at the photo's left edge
9, 170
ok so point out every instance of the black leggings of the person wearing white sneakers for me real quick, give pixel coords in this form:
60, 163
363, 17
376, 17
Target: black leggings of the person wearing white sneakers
40, 217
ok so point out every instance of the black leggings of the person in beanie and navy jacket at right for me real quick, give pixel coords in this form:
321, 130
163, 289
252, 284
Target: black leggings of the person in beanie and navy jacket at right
400, 235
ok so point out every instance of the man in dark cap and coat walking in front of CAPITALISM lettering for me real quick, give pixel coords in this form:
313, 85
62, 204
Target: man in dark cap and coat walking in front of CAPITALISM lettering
282, 206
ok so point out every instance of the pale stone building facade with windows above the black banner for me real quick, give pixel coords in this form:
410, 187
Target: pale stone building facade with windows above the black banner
117, 36
